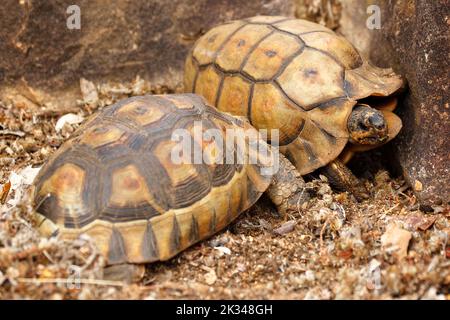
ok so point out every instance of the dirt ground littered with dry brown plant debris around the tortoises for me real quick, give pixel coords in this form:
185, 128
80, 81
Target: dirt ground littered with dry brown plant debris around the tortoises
331, 248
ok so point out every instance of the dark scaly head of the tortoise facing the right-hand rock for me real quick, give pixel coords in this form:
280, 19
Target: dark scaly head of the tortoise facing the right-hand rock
368, 126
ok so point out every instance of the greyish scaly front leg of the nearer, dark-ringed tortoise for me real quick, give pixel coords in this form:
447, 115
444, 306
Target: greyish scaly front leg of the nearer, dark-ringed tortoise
287, 190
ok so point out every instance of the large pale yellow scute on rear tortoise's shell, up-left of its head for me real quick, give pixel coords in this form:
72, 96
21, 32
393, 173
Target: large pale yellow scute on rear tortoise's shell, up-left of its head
312, 78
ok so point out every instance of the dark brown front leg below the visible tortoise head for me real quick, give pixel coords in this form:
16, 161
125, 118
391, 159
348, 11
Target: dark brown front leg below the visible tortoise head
341, 178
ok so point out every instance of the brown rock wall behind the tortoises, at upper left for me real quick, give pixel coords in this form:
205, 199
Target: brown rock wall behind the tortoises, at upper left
116, 41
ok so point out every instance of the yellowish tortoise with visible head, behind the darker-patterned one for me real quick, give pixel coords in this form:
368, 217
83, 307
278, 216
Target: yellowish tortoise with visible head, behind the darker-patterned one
302, 79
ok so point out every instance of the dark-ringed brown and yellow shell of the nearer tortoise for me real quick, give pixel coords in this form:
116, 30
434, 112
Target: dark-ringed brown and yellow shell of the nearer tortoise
115, 180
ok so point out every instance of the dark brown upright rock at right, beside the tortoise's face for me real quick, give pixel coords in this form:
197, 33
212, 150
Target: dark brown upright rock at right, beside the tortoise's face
414, 40
